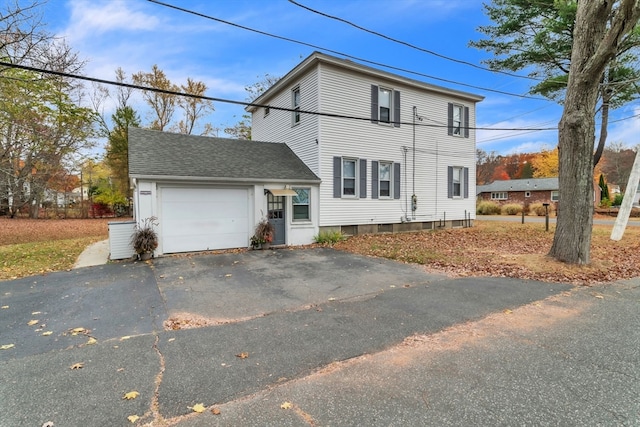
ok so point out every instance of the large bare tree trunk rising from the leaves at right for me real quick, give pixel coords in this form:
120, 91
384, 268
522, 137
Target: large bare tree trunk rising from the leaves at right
594, 45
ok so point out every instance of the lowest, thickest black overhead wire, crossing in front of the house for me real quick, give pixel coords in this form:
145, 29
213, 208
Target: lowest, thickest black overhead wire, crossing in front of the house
231, 101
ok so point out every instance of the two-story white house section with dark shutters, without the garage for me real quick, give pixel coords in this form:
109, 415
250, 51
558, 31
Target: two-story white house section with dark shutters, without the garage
393, 153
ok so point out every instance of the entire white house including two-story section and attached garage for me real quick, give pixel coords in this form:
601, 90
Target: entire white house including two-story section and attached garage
349, 148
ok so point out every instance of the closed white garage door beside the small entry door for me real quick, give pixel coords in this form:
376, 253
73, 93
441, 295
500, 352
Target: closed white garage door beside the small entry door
198, 219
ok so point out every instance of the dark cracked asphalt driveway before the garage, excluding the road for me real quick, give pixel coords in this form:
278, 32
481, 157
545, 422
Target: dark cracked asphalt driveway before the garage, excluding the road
291, 311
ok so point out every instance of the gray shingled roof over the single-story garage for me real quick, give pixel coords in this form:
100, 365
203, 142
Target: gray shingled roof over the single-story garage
163, 154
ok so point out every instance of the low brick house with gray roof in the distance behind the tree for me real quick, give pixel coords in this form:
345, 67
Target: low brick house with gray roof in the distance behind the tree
521, 191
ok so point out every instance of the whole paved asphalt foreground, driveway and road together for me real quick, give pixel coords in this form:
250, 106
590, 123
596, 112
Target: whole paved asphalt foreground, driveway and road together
336, 339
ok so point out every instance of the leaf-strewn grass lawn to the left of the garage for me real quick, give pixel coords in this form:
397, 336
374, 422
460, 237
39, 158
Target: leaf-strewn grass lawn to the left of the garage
29, 247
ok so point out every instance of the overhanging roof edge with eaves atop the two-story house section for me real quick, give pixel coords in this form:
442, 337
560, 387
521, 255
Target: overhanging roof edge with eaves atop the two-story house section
316, 58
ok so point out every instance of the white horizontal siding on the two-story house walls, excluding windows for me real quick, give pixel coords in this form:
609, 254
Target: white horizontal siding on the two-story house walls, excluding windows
336, 90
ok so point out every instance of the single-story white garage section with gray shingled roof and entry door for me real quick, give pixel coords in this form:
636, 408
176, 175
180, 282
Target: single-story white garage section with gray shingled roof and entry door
209, 193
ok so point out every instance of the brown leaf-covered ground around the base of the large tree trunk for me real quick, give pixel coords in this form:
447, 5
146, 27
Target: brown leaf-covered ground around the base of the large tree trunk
506, 250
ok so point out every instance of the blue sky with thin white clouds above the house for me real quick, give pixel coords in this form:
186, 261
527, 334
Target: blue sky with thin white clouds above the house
136, 34
